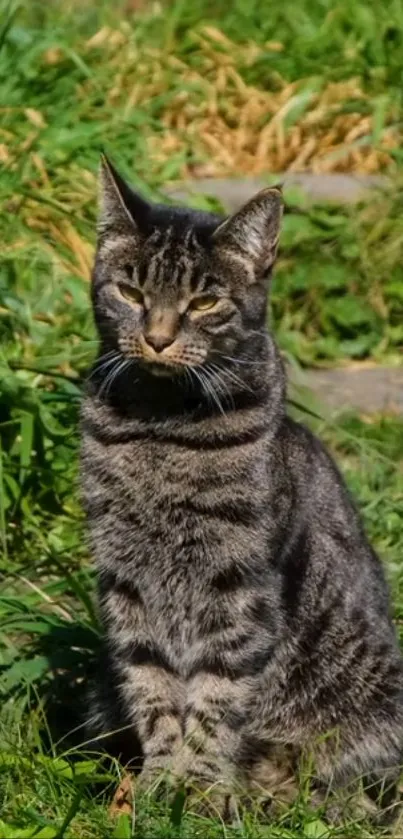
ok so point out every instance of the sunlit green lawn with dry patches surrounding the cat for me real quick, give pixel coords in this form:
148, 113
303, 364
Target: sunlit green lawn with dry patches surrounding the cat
171, 91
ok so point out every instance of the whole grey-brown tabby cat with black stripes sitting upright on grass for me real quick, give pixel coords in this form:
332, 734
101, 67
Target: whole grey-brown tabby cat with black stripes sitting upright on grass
245, 614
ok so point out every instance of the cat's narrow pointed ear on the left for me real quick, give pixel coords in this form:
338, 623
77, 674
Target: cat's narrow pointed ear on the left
120, 209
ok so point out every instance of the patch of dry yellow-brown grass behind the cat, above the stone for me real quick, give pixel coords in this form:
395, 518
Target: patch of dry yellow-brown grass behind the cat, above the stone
238, 127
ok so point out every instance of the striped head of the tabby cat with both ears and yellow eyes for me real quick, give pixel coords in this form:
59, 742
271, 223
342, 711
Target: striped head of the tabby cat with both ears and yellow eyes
177, 289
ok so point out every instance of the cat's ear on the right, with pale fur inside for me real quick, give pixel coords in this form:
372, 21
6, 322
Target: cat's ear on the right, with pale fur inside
253, 231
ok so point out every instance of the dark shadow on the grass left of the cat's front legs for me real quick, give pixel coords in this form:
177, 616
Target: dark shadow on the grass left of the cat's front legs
66, 663
